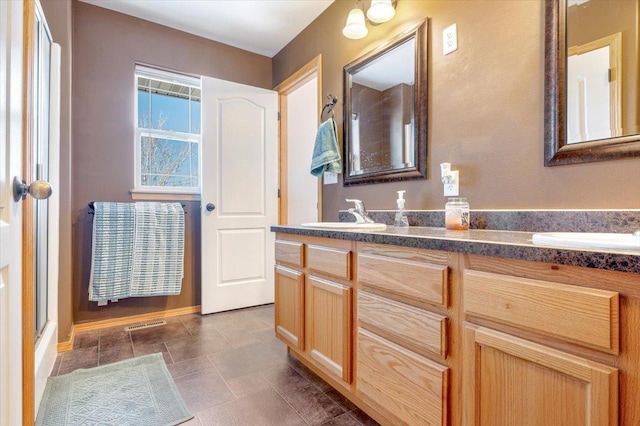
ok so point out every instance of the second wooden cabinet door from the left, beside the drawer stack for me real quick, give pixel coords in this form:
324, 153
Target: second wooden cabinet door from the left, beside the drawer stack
330, 326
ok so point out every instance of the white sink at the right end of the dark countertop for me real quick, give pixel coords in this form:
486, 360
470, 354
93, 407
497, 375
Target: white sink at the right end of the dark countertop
588, 240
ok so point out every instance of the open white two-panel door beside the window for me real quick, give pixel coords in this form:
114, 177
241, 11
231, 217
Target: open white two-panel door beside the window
239, 194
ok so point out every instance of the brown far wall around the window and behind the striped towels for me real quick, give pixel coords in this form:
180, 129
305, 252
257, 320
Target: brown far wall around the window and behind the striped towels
105, 47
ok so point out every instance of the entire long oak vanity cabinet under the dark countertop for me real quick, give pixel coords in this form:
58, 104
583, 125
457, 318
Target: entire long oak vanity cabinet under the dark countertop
423, 337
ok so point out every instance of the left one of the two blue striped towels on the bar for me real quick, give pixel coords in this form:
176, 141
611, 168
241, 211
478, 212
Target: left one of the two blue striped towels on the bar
112, 252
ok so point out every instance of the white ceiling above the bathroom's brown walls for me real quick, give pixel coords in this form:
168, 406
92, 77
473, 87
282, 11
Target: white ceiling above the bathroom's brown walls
260, 26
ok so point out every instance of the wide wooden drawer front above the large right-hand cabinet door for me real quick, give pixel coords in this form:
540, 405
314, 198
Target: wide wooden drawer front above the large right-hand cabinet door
583, 315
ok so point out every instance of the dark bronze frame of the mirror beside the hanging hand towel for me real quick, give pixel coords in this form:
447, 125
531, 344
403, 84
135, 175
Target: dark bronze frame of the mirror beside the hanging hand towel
419, 170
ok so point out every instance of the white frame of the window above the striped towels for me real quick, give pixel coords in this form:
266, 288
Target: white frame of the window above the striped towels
164, 192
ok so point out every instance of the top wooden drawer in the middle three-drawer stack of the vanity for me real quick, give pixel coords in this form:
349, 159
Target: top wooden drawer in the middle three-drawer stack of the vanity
415, 282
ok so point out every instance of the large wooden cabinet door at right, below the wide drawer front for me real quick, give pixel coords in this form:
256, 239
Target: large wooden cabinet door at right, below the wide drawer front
511, 381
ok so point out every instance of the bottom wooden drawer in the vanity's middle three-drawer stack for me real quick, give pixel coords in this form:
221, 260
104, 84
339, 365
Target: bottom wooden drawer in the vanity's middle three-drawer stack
407, 387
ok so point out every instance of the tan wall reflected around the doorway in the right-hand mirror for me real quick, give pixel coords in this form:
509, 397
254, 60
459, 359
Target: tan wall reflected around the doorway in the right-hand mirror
596, 19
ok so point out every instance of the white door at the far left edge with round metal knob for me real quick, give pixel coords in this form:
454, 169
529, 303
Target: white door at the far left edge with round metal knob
11, 112
